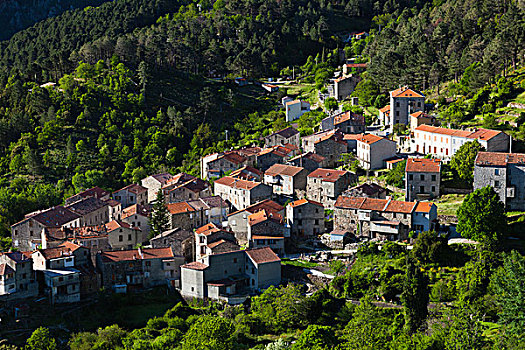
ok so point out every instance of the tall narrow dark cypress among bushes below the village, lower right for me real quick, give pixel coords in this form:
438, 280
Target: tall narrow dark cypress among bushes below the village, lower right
415, 296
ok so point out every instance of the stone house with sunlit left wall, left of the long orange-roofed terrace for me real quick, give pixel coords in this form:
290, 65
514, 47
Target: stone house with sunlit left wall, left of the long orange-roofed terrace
305, 218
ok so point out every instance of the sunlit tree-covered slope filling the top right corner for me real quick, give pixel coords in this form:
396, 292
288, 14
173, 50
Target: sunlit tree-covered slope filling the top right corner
438, 43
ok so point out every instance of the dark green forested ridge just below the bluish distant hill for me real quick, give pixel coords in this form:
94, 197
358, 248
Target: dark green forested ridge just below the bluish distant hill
42, 52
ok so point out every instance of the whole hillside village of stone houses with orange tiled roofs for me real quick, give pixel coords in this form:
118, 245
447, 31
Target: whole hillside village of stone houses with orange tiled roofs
221, 236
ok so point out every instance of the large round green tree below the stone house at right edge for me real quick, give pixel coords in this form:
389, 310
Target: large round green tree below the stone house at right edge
481, 216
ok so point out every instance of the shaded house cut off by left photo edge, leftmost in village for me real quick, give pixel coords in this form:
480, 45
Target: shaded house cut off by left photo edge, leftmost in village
17, 277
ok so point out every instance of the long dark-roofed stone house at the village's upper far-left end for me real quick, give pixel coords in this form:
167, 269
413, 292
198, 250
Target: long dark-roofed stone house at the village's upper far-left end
26, 233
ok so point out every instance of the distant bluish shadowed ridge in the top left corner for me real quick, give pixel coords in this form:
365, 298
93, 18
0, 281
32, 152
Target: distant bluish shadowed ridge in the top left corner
16, 15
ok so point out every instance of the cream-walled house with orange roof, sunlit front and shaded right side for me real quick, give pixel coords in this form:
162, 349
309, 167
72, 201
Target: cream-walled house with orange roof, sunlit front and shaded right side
241, 193
